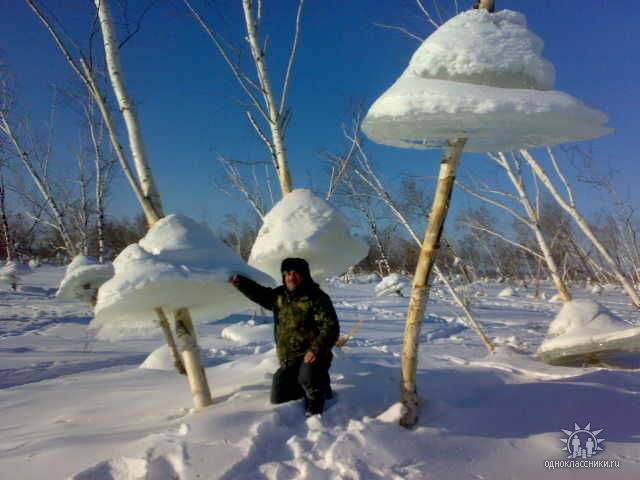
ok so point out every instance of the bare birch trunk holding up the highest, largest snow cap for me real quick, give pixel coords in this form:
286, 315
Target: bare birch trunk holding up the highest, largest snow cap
419, 289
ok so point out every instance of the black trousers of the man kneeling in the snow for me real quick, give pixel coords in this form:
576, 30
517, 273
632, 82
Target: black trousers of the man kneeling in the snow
299, 379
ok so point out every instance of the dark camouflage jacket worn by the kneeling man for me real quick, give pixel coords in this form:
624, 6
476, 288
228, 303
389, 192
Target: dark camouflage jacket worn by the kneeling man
304, 320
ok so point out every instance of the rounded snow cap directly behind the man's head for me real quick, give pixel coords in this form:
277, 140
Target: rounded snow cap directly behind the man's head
304, 225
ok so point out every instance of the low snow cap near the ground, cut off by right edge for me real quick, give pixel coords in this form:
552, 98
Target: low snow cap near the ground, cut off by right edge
583, 326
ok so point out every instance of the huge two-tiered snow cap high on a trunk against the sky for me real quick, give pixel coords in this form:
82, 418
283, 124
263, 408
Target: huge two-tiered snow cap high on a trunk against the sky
480, 76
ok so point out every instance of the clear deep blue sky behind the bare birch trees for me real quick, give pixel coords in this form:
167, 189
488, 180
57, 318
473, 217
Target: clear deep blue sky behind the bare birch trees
186, 93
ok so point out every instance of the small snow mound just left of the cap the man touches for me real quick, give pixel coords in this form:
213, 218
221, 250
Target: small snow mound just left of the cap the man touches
83, 278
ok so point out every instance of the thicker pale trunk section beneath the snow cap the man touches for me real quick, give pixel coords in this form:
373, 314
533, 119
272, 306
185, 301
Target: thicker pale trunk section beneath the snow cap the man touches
188, 344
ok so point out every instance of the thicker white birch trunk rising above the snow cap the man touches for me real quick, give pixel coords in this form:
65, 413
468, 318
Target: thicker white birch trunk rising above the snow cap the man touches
136, 142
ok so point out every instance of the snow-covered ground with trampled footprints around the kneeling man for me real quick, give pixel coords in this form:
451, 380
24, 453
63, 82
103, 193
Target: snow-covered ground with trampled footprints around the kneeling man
76, 407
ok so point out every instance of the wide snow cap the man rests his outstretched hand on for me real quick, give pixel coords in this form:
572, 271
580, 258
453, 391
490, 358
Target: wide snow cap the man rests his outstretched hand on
179, 263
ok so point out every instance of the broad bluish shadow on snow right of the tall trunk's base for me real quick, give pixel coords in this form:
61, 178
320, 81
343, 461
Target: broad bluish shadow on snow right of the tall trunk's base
480, 403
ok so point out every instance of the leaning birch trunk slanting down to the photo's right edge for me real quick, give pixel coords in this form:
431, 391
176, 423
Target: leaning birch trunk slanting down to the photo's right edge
571, 209
